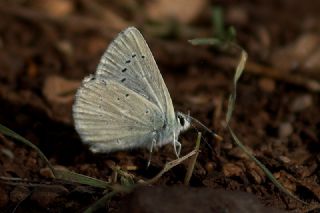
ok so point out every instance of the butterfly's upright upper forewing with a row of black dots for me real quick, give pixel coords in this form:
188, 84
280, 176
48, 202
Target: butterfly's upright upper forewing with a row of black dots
129, 61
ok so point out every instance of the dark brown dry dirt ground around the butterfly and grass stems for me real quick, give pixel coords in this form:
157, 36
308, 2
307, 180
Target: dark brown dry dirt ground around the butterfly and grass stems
47, 48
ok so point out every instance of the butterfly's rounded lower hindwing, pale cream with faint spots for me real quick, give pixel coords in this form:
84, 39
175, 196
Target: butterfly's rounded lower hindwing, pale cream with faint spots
110, 117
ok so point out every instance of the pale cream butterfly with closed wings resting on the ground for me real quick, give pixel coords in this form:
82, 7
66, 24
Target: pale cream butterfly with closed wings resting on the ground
126, 104
